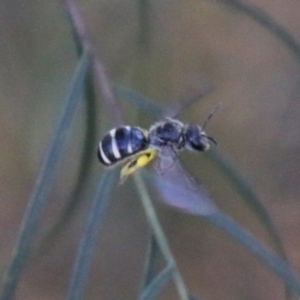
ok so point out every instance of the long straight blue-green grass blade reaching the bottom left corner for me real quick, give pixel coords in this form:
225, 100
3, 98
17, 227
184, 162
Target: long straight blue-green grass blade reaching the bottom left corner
45, 178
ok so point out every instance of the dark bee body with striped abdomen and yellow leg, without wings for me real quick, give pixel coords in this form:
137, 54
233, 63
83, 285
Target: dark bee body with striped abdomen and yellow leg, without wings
136, 147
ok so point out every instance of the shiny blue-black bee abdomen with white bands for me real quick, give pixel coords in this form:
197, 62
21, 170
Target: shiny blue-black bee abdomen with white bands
120, 143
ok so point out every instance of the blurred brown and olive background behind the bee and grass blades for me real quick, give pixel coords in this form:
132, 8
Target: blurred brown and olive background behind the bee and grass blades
191, 46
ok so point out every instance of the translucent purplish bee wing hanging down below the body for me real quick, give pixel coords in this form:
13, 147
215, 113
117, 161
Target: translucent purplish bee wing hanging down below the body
178, 188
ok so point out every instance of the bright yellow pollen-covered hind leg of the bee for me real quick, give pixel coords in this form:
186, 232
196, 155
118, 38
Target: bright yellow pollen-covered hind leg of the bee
138, 161
